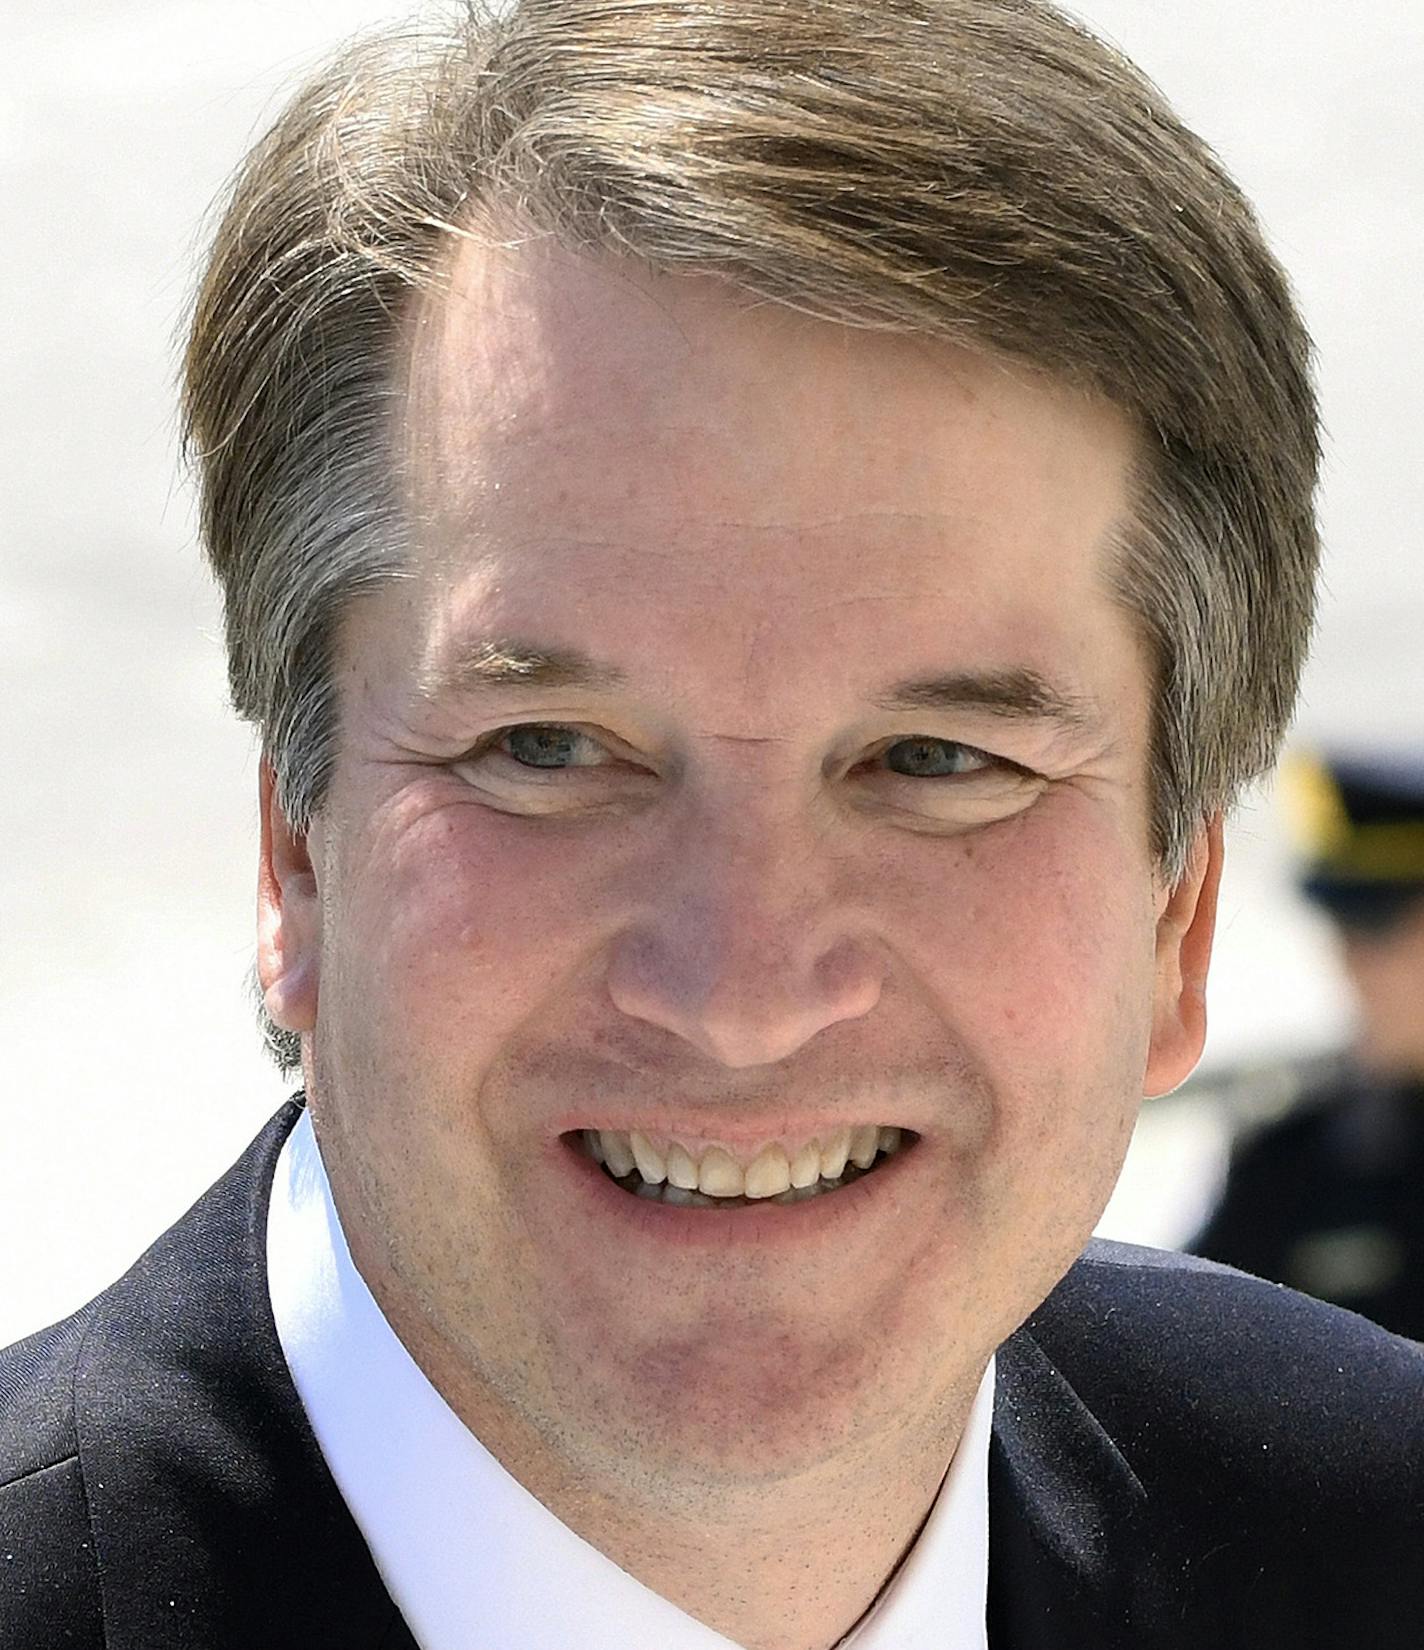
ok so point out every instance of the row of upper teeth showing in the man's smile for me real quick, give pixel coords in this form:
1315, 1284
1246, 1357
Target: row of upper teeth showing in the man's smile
719, 1172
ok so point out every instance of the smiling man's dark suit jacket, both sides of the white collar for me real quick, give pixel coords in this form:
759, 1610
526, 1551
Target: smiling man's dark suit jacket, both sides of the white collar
1182, 1458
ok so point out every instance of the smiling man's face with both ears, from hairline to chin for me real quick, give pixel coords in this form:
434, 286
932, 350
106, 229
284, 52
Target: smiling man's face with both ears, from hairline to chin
755, 755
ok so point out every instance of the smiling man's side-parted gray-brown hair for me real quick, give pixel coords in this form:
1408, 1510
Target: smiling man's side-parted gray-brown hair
979, 171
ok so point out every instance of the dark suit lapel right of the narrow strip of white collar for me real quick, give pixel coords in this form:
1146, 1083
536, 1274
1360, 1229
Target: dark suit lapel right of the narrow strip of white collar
1067, 1524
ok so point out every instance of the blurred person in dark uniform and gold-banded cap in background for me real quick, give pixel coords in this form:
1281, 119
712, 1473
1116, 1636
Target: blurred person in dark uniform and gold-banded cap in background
1331, 1197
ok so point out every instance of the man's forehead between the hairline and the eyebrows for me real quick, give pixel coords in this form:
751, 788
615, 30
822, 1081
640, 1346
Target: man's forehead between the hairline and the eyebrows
674, 441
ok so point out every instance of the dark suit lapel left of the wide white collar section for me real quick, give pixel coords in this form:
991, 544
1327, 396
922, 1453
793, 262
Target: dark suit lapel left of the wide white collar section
215, 1519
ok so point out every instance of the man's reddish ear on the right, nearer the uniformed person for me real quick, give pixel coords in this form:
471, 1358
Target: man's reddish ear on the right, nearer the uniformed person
1186, 928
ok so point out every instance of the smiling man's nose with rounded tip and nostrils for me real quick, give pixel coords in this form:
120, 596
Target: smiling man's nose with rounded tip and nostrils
745, 951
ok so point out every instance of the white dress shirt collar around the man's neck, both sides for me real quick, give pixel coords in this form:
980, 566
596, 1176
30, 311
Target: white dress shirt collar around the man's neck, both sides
469, 1557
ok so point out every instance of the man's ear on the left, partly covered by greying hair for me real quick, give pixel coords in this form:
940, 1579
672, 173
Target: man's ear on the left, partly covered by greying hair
290, 917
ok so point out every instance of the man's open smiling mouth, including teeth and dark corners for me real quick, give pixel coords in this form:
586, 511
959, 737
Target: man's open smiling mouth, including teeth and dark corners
715, 1177
